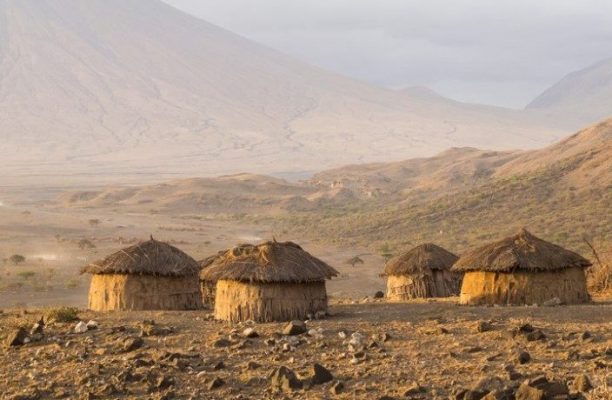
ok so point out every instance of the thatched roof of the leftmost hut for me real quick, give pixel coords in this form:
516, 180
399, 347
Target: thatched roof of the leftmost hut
146, 258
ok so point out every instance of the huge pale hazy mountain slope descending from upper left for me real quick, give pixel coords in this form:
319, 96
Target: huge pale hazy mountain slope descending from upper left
135, 88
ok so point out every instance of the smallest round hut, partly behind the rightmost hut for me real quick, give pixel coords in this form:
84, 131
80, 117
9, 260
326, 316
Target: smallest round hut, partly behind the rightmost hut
422, 272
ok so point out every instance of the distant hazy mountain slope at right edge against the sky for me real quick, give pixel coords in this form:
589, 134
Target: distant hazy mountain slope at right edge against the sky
581, 98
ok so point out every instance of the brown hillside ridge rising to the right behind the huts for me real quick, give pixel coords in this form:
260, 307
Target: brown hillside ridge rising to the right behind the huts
461, 197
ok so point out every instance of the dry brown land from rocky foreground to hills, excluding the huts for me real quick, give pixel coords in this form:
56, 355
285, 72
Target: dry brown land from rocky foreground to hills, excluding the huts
437, 348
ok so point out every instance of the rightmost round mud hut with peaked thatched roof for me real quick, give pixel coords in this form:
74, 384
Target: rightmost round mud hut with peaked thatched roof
522, 269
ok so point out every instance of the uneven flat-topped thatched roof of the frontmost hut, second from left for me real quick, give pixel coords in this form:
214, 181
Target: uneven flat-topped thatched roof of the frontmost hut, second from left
269, 262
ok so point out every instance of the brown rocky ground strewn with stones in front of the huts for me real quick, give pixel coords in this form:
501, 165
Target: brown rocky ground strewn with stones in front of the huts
374, 350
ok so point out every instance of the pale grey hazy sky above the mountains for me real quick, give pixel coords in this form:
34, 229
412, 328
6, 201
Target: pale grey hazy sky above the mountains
502, 52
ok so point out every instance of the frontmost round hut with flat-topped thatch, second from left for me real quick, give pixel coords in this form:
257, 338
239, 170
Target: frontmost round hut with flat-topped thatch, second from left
268, 282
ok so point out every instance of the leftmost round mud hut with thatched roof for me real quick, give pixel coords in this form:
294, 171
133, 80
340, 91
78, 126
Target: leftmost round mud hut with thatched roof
151, 275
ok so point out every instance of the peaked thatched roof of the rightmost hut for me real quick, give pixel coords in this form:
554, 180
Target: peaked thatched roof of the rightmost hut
521, 252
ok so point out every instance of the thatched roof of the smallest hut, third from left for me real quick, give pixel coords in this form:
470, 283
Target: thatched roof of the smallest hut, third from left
425, 257
